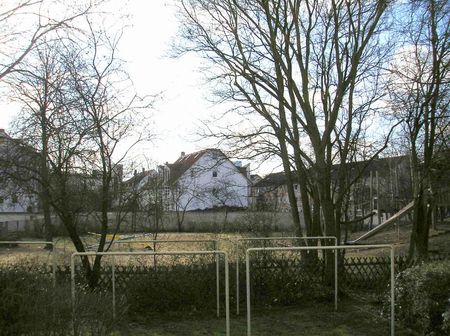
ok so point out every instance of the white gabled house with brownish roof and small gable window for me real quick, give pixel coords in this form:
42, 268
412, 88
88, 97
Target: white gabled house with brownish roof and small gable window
204, 180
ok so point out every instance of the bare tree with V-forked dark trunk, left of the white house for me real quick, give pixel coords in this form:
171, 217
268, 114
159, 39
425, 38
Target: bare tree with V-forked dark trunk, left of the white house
80, 116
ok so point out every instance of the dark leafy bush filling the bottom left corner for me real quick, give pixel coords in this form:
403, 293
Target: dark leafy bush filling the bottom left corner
32, 305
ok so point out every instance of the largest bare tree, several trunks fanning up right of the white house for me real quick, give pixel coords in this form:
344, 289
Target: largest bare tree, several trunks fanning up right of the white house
305, 76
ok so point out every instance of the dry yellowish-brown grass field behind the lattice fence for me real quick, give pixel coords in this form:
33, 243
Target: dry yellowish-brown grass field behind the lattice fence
63, 247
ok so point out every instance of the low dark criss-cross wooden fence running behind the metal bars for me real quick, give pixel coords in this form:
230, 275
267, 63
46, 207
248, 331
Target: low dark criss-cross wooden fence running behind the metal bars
287, 279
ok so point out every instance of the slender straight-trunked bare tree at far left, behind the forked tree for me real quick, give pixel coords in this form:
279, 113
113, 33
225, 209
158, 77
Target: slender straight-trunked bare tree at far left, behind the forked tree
38, 86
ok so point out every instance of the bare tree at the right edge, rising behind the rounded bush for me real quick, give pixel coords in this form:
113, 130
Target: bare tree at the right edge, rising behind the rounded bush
419, 96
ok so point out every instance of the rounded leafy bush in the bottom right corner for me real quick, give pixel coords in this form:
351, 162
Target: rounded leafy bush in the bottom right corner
423, 298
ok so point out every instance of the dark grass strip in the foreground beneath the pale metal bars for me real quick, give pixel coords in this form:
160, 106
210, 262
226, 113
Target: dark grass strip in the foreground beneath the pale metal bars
312, 321
